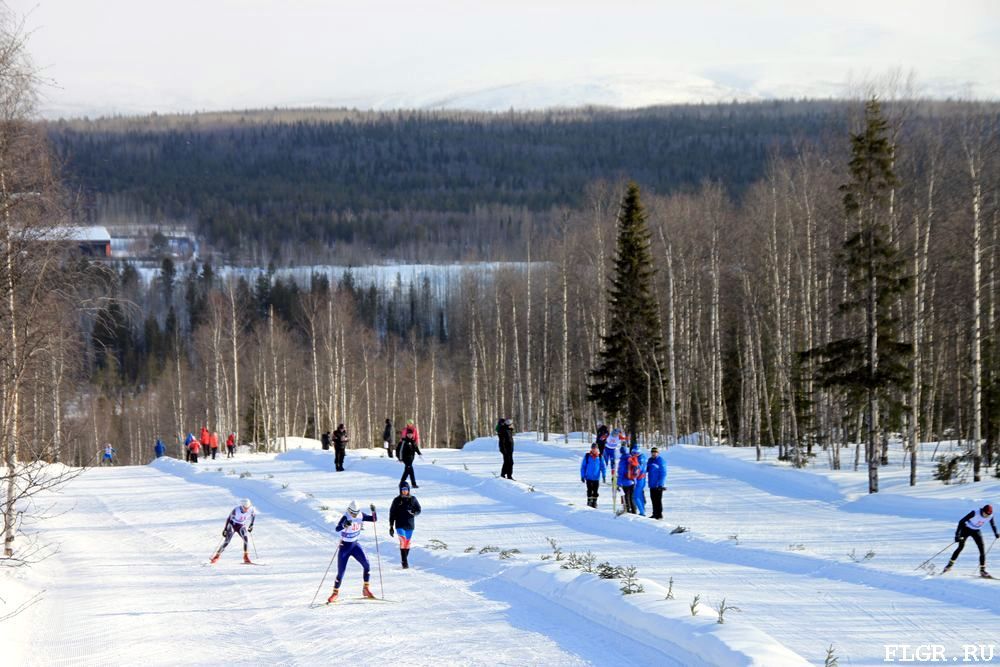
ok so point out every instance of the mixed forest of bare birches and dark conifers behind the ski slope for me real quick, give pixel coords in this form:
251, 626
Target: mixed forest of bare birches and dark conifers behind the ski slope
761, 222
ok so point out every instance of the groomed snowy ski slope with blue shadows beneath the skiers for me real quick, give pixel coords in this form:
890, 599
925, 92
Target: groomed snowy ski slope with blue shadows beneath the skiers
805, 560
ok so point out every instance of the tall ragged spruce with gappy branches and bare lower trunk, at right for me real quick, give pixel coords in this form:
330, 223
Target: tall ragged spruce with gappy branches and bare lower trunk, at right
870, 365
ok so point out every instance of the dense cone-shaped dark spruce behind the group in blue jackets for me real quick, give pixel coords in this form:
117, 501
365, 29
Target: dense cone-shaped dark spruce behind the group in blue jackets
625, 379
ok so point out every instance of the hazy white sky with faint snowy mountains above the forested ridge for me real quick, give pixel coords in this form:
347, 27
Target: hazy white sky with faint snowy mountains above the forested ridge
136, 56
